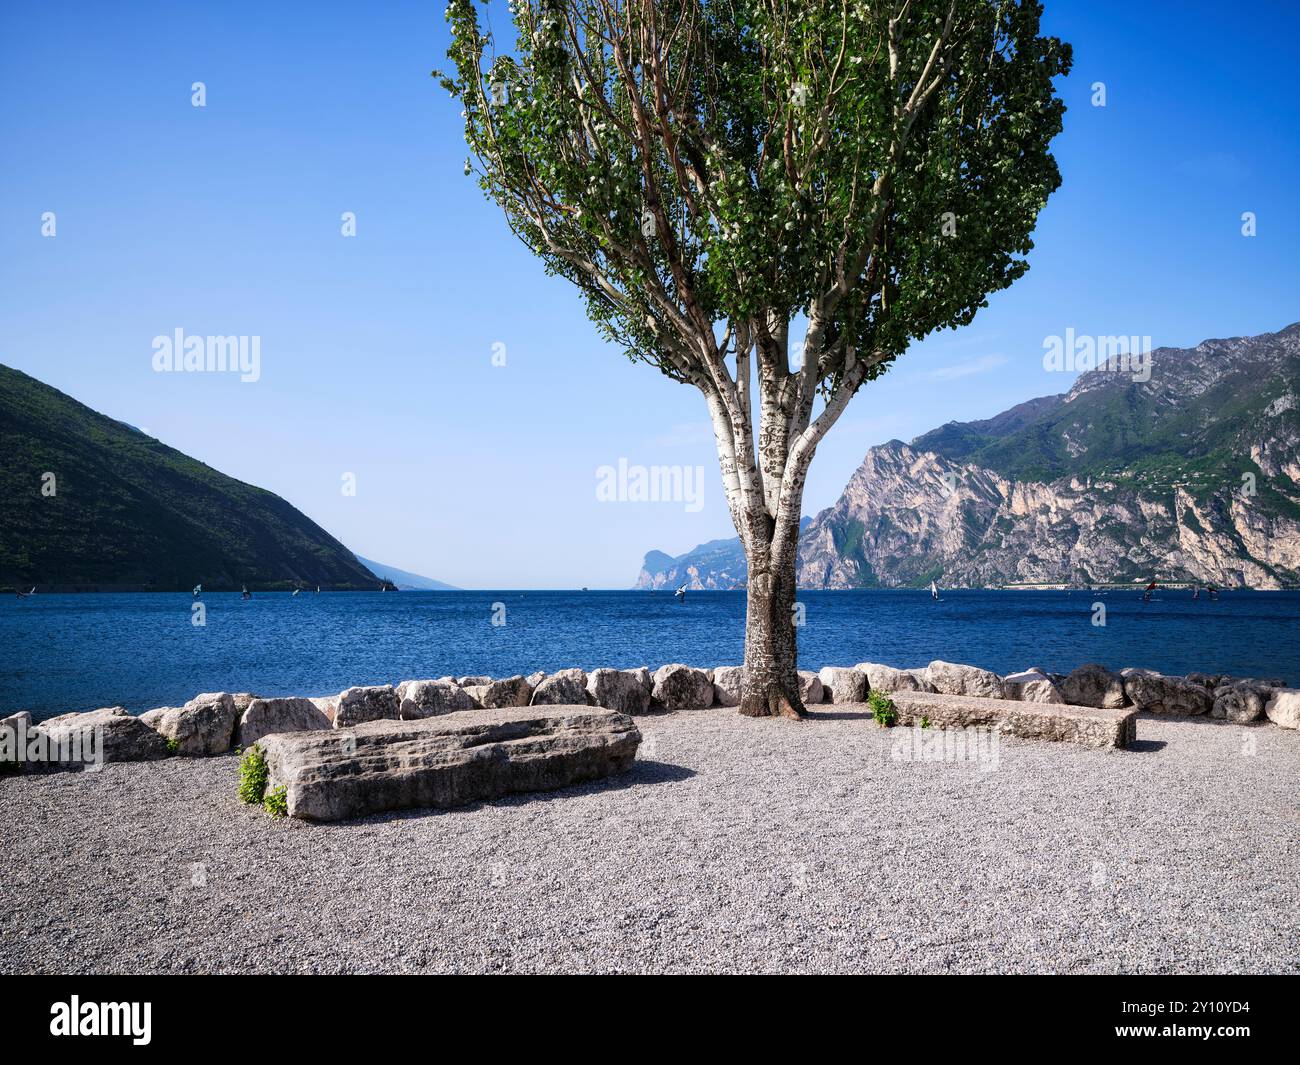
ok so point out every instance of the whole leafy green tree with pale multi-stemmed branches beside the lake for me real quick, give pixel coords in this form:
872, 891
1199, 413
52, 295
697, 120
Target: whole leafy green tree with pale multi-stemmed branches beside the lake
714, 175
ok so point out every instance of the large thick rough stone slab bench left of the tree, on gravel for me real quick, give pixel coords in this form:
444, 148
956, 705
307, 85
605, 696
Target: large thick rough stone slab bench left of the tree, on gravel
447, 761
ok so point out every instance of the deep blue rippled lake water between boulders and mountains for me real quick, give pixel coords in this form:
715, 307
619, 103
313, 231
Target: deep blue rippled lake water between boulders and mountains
62, 653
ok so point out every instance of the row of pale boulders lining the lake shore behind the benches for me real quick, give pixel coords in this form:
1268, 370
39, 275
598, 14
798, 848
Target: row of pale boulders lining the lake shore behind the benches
214, 724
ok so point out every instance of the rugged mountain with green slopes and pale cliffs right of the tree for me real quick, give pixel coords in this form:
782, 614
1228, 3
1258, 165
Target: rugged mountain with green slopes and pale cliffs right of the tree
1193, 475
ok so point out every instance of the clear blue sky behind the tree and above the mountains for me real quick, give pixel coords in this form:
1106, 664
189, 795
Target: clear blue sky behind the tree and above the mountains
378, 350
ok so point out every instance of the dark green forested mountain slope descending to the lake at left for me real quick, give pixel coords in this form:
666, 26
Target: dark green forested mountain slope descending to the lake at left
94, 504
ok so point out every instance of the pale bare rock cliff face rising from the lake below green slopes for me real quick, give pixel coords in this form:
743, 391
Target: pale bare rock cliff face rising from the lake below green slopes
911, 517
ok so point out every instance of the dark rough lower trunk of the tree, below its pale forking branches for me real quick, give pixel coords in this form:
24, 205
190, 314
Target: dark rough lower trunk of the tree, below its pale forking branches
772, 685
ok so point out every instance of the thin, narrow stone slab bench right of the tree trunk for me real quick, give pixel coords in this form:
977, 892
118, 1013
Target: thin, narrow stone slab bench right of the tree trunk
1028, 721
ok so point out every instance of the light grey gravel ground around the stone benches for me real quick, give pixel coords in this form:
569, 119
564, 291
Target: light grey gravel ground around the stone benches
734, 845
